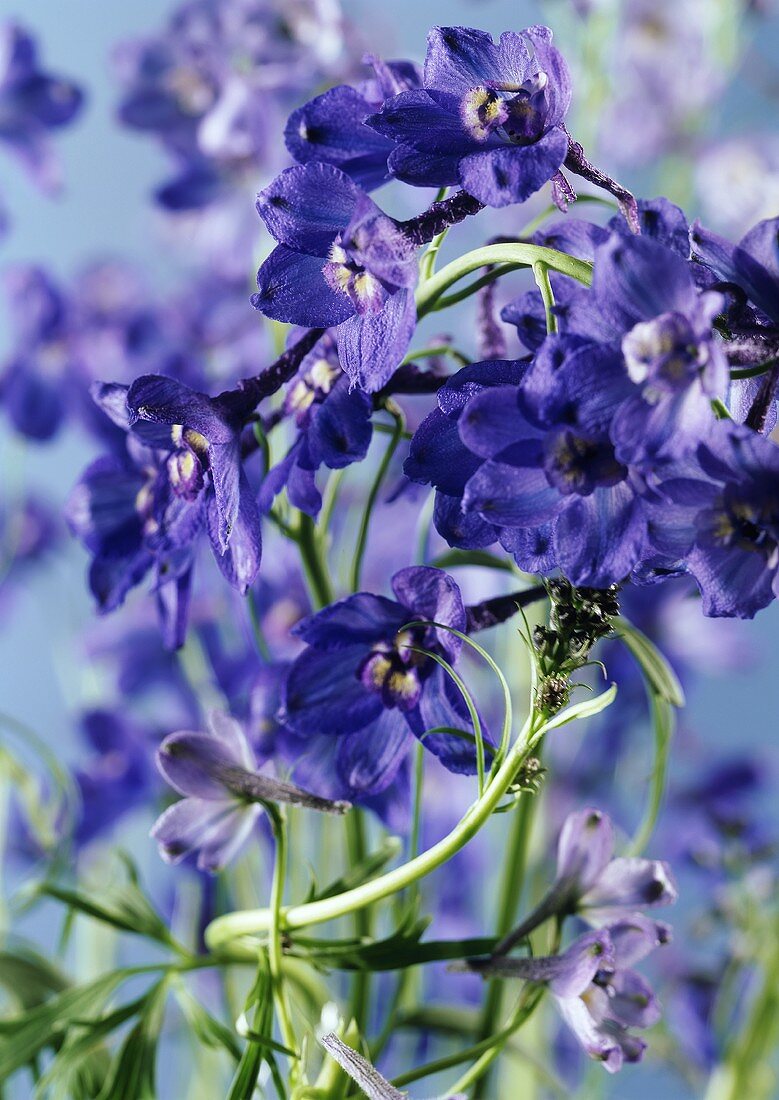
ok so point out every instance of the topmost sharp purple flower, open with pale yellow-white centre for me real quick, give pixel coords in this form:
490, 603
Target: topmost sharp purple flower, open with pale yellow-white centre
489, 117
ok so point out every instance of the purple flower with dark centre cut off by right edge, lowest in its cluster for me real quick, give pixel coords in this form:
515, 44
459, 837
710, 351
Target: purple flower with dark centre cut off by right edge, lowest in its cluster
716, 515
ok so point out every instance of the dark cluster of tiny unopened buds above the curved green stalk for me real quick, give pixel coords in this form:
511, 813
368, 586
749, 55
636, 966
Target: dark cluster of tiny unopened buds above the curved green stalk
578, 619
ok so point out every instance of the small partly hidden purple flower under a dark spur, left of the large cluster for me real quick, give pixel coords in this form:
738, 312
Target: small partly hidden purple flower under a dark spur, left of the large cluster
334, 428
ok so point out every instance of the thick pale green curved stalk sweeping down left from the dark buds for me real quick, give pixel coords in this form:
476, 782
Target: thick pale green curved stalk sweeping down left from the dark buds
225, 930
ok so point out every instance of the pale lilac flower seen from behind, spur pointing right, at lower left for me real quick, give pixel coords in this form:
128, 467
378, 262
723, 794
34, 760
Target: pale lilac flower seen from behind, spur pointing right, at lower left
224, 794
